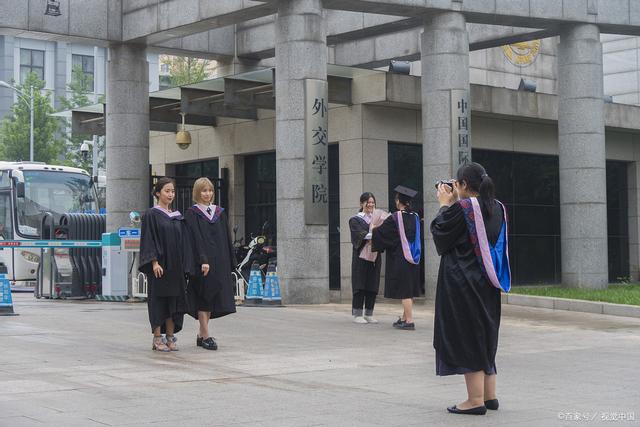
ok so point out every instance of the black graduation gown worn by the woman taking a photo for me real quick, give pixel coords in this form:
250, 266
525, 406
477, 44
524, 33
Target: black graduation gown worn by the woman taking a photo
467, 307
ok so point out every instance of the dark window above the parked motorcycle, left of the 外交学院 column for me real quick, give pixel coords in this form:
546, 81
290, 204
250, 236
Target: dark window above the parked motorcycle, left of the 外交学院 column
260, 195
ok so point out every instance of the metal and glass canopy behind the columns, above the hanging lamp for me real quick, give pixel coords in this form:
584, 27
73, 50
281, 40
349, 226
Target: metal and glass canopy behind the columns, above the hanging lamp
239, 96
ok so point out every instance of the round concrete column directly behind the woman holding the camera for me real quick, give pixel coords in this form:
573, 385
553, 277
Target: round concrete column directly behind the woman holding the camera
445, 67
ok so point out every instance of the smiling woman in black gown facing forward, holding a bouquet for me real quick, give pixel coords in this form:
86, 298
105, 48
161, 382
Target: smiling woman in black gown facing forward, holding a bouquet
365, 275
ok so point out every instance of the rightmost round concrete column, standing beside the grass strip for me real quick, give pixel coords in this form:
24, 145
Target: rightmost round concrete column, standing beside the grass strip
581, 146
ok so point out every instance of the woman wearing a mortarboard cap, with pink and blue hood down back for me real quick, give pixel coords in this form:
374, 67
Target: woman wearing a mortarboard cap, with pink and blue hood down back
399, 236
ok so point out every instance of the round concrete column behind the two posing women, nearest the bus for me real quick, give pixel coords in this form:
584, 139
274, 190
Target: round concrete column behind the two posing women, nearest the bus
127, 132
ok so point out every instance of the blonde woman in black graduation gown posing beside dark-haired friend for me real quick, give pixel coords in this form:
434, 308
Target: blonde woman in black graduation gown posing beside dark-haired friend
211, 293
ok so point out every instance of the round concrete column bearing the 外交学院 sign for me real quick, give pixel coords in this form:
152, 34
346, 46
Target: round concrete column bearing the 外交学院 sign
301, 53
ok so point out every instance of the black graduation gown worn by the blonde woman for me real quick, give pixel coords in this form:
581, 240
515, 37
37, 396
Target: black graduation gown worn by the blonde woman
211, 245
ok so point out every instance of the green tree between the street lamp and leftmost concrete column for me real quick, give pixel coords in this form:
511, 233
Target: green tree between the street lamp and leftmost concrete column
79, 97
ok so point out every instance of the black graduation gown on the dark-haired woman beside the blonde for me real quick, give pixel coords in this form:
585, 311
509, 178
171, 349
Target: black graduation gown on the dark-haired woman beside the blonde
164, 238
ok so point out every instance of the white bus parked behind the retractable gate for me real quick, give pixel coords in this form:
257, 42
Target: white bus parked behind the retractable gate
27, 191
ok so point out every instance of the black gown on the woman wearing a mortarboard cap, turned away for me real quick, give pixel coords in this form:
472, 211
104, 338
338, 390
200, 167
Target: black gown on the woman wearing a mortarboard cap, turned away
402, 279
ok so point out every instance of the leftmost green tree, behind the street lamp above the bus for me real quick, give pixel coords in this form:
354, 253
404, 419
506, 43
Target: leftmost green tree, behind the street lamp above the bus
14, 130
